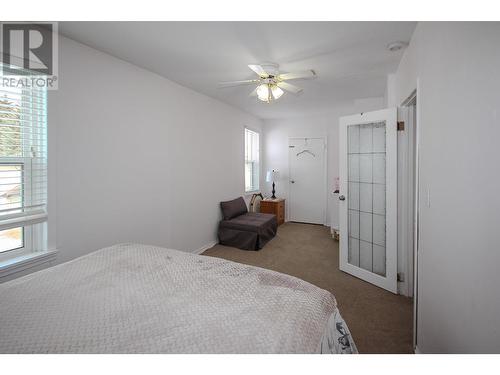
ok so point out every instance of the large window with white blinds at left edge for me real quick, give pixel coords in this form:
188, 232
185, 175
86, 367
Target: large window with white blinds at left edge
23, 170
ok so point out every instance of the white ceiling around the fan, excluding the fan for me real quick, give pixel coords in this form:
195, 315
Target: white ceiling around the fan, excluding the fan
350, 58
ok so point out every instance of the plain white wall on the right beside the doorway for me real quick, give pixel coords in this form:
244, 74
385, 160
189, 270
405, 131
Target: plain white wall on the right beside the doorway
457, 69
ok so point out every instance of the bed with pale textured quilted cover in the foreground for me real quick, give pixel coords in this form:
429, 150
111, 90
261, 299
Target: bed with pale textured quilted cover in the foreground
132, 298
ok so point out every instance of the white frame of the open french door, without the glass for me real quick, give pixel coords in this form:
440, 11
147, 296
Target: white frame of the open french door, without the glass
389, 282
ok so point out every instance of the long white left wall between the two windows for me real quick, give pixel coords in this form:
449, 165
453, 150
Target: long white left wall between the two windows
135, 157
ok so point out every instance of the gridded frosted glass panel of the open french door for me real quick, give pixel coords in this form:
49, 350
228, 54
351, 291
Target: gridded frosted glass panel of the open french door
366, 196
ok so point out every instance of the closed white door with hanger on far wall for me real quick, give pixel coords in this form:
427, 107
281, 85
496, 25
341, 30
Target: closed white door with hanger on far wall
307, 184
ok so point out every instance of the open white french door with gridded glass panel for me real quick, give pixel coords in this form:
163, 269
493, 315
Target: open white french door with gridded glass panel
368, 197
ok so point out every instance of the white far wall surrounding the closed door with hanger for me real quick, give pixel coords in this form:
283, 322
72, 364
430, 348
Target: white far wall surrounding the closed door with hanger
278, 131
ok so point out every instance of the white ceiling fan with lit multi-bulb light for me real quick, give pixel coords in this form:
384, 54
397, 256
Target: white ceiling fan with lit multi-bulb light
271, 84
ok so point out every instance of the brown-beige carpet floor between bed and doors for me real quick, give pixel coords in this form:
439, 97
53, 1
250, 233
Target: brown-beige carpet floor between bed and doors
380, 321
